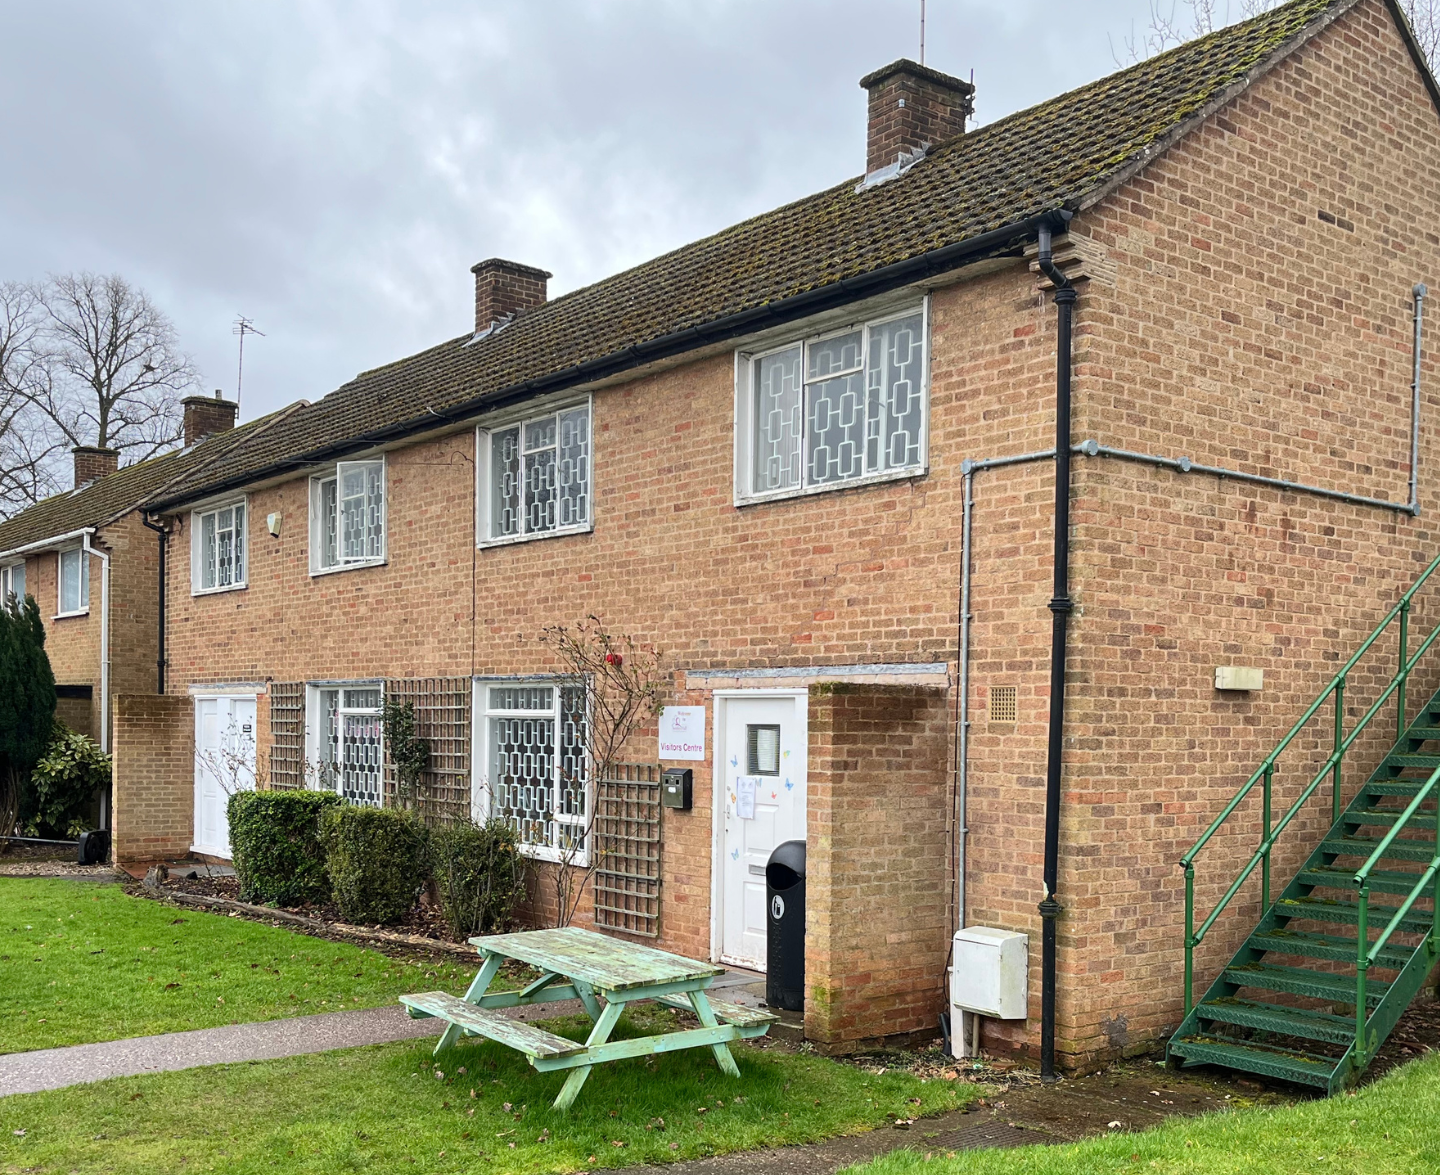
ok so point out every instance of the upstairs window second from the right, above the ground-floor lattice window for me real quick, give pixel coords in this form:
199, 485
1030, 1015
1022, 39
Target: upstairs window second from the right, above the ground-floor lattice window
535, 477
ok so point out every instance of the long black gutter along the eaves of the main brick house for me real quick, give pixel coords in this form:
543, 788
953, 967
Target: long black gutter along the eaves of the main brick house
667, 346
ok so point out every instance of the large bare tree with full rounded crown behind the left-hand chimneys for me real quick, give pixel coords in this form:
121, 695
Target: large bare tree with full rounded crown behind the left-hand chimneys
114, 372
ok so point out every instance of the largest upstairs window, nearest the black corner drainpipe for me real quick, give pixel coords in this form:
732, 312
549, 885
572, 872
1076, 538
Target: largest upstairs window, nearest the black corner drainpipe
833, 411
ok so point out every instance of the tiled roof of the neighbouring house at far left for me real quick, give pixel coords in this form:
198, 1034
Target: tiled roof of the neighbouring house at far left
109, 498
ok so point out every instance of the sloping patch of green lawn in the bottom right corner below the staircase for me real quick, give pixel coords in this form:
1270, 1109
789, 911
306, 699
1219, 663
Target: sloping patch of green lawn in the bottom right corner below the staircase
1390, 1128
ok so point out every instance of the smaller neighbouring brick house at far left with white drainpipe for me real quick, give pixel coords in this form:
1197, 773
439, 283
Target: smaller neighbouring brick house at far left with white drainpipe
94, 568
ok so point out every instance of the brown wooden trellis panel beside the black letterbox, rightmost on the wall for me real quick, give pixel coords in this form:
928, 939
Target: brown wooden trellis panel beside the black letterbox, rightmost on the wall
627, 839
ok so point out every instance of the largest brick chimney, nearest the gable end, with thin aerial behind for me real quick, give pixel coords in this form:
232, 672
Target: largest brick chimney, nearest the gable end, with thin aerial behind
912, 106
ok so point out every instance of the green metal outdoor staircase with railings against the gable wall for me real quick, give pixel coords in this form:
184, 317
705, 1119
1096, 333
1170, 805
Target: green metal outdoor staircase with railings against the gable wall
1300, 1001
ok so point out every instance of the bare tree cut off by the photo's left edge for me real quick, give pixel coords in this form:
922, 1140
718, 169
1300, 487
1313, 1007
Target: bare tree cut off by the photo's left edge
28, 441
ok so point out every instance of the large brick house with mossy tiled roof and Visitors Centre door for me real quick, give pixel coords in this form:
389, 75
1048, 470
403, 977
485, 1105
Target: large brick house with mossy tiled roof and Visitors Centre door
814, 460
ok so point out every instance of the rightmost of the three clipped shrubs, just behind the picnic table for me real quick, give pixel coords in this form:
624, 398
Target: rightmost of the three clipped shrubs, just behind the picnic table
480, 875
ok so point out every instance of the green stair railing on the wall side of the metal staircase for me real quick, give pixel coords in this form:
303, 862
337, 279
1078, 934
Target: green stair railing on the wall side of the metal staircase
1333, 768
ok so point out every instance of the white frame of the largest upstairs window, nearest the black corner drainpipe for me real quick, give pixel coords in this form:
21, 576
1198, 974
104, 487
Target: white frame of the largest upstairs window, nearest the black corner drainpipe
745, 426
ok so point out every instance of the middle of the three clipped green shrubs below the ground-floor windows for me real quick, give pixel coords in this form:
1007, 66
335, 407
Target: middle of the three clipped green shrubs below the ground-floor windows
377, 859
